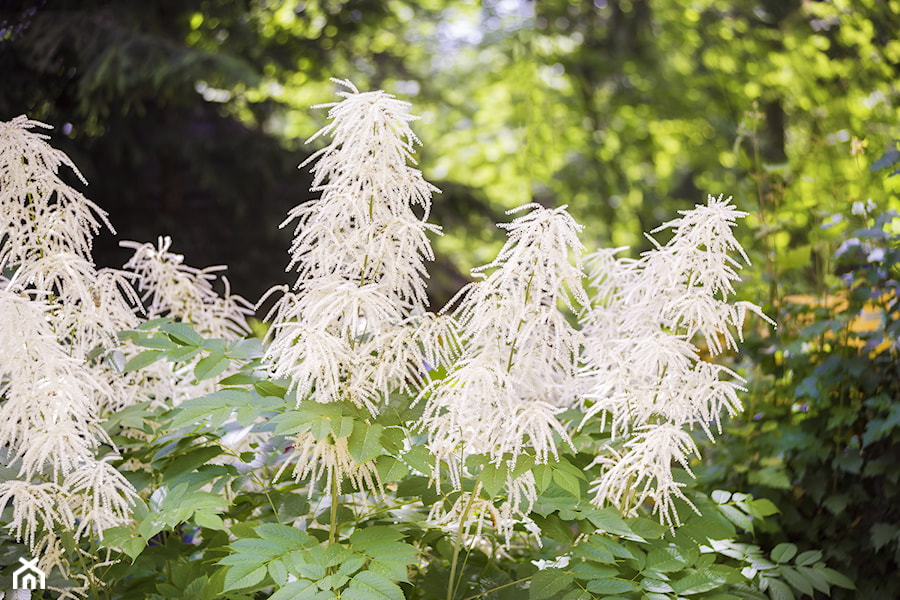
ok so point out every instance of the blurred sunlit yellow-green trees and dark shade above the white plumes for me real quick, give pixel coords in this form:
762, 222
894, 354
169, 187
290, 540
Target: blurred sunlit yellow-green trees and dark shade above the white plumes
188, 117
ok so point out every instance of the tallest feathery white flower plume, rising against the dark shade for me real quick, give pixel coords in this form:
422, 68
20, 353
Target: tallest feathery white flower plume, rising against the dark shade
355, 326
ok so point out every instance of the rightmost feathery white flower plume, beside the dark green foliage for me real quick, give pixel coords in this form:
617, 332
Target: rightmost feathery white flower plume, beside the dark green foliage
643, 374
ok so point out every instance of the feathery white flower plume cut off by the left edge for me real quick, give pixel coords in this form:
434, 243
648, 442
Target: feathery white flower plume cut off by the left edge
59, 315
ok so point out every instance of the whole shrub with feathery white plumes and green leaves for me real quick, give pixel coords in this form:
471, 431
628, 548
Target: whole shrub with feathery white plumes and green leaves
369, 449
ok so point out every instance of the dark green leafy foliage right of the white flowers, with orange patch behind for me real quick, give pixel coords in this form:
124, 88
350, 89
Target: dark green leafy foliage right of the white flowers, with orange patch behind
824, 436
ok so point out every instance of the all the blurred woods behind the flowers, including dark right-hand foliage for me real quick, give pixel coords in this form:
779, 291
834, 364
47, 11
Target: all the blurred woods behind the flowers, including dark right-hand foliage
188, 118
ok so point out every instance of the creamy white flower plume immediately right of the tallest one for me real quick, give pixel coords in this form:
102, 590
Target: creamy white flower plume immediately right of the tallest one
520, 353
